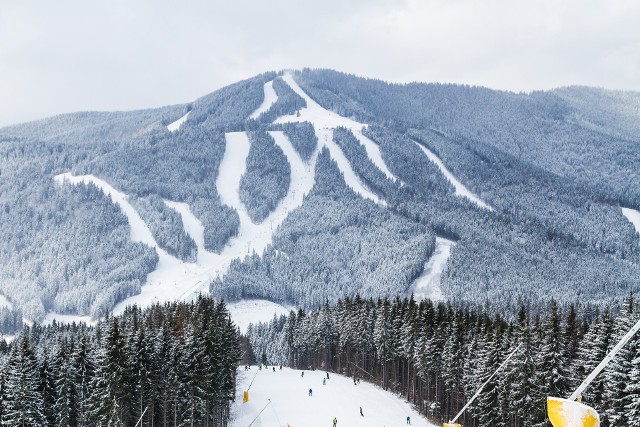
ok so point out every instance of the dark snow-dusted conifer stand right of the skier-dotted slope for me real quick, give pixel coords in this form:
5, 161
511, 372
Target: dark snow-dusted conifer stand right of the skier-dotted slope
437, 355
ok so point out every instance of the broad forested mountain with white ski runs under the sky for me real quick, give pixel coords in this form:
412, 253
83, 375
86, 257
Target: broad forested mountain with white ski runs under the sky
298, 187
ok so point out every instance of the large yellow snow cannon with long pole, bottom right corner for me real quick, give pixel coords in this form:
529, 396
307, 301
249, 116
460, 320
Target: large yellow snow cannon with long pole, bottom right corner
570, 412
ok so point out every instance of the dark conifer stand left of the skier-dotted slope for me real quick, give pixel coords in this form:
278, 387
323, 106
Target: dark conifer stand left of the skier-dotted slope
177, 362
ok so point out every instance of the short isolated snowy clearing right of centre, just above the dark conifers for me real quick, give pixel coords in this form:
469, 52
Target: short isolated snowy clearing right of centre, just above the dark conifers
427, 285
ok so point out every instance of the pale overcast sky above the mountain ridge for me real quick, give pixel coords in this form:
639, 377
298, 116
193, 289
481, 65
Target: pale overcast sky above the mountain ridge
72, 55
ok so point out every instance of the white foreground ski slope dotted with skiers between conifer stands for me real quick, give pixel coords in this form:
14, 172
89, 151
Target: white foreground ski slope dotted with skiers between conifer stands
284, 396
